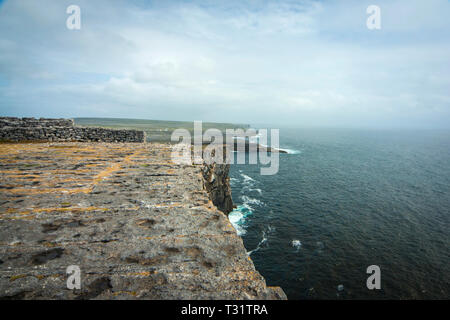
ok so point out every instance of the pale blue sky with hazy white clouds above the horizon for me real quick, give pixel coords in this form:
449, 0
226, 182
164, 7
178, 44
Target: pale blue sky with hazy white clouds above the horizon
296, 63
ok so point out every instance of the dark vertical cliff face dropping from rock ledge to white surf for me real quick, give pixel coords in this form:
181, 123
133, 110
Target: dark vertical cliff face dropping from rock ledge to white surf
217, 184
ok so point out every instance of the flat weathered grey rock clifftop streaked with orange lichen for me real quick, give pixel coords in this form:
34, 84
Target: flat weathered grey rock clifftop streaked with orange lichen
137, 225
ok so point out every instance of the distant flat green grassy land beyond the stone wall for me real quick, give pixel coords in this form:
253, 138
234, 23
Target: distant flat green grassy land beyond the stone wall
157, 130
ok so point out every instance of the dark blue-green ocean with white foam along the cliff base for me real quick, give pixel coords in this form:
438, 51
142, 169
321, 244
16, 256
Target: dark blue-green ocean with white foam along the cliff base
344, 200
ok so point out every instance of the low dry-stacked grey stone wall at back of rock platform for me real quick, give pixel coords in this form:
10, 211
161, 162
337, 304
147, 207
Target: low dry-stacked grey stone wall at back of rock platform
60, 130
